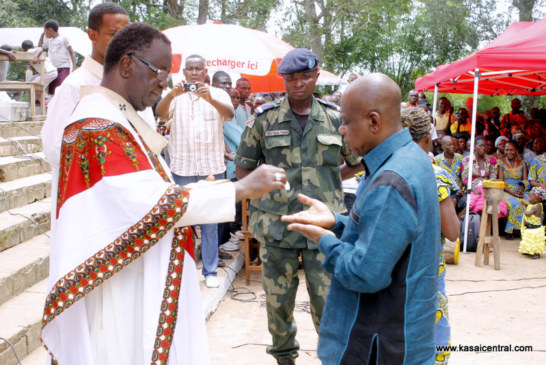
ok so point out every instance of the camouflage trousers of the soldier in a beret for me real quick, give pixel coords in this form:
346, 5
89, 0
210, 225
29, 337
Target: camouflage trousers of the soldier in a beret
280, 282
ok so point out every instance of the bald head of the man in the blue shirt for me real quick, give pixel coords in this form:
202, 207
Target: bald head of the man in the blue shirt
370, 109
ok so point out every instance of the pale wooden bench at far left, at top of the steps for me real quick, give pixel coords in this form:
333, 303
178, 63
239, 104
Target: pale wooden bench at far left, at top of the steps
31, 87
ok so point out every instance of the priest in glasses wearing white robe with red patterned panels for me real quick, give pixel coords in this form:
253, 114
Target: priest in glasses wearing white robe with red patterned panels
124, 286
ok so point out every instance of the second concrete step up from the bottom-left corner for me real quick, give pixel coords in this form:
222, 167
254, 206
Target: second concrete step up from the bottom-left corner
23, 266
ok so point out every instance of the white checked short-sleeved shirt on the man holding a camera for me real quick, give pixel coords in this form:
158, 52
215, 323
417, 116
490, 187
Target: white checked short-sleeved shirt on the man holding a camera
196, 142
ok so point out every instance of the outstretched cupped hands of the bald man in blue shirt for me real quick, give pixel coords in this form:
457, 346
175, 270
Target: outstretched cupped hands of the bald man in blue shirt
312, 223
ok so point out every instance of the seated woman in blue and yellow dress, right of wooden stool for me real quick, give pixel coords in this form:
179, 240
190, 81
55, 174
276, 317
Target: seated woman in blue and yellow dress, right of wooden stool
513, 170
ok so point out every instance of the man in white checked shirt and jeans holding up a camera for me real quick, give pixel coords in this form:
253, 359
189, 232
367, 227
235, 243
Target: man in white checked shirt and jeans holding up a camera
196, 143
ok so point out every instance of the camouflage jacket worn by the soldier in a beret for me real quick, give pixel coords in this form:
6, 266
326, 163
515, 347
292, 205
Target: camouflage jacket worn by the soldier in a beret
309, 157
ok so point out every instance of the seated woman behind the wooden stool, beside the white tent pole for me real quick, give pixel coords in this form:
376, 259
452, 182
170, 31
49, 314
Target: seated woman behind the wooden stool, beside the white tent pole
484, 167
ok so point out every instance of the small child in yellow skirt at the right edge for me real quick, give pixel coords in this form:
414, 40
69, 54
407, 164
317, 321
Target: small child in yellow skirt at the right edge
532, 242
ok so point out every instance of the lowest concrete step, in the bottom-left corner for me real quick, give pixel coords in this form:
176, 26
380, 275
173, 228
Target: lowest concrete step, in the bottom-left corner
21, 319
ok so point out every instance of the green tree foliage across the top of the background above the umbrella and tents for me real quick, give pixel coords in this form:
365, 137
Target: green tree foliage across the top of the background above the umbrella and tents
402, 38
